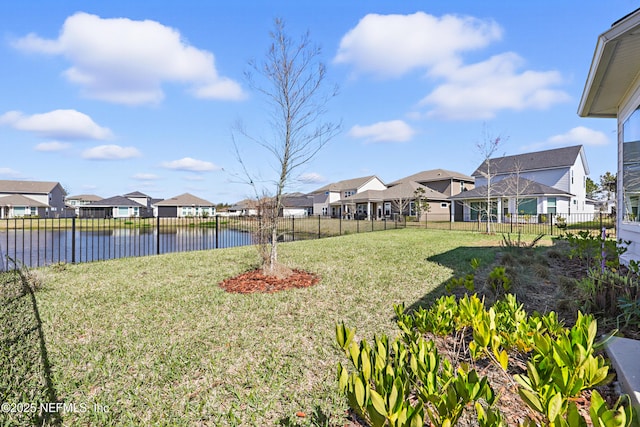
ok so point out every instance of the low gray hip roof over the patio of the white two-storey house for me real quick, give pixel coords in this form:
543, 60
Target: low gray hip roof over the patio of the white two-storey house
511, 186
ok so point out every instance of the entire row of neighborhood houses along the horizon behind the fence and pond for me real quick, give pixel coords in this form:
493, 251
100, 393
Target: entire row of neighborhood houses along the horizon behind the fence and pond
531, 185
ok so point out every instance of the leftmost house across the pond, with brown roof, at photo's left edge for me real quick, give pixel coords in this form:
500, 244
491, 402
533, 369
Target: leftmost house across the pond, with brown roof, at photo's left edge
31, 198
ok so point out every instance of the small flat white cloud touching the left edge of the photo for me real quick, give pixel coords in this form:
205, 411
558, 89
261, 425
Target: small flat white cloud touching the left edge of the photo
57, 124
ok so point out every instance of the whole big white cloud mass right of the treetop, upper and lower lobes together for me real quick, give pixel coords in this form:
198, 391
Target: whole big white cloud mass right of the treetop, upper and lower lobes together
392, 45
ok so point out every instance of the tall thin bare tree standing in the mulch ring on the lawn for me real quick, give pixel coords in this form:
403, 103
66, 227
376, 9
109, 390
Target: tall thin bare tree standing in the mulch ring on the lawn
292, 81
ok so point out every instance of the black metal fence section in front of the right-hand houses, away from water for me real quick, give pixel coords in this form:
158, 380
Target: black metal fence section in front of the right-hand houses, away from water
548, 224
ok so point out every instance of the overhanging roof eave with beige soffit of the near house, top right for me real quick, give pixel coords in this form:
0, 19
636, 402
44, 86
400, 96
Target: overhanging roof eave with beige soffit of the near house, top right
614, 68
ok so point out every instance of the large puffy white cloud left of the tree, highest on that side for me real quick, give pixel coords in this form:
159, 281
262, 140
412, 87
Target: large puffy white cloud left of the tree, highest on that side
124, 61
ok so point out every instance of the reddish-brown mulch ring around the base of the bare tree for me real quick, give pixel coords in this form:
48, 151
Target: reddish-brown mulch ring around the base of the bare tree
256, 281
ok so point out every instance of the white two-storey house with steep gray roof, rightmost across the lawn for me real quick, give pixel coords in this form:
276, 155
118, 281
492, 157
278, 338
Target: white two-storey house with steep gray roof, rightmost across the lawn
535, 185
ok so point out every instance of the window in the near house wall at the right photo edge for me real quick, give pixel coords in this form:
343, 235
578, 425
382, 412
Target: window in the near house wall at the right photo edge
631, 166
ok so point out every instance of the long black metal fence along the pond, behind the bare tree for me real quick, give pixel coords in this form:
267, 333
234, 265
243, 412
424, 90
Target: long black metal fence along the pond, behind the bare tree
34, 242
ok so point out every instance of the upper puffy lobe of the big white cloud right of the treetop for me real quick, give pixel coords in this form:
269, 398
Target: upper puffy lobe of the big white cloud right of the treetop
391, 45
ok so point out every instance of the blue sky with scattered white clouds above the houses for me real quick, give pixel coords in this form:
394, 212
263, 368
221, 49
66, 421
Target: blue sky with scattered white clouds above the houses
113, 97
